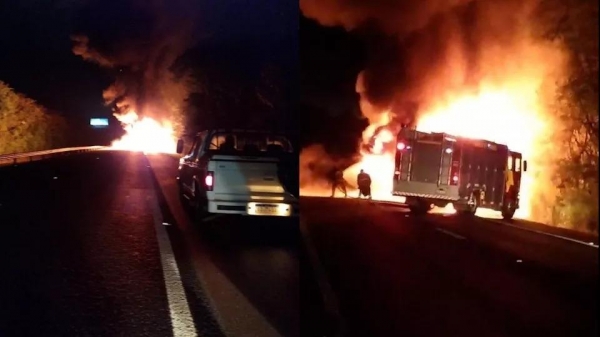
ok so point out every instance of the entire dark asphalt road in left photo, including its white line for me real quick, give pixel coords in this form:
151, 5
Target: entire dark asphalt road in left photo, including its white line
85, 253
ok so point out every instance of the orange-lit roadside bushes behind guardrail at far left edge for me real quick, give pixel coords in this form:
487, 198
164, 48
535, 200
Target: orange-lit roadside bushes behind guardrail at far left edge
27, 126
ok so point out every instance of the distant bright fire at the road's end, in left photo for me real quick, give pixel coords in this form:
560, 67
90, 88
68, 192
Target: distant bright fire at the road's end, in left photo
145, 134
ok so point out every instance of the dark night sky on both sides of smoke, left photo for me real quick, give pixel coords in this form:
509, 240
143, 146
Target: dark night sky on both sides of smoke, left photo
37, 60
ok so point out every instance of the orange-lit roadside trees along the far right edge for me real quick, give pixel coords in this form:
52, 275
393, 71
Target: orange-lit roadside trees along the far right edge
574, 24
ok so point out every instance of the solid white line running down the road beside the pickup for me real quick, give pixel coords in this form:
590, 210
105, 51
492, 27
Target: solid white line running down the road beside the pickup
181, 317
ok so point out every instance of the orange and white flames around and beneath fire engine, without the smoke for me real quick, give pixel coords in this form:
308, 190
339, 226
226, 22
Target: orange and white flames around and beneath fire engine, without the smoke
509, 106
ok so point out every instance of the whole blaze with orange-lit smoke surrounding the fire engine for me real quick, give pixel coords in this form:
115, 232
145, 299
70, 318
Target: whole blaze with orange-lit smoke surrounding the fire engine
469, 68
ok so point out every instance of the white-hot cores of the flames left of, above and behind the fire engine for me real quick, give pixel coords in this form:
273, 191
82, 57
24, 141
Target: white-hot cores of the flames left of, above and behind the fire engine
508, 116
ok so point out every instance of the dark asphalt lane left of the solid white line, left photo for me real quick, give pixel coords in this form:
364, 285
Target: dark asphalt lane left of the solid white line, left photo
79, 250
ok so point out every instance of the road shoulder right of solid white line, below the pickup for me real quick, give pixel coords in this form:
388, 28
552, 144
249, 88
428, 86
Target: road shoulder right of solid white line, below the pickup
261, 263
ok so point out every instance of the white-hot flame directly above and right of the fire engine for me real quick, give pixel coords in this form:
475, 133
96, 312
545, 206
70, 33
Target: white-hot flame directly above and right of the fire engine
507, 116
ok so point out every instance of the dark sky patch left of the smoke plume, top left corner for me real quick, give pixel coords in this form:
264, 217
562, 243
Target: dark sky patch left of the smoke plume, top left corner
36, 58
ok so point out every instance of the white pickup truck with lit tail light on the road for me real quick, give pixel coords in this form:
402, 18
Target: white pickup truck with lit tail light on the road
241, 172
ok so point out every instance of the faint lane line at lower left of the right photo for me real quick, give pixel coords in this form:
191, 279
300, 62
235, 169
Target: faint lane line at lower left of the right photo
329, 299
